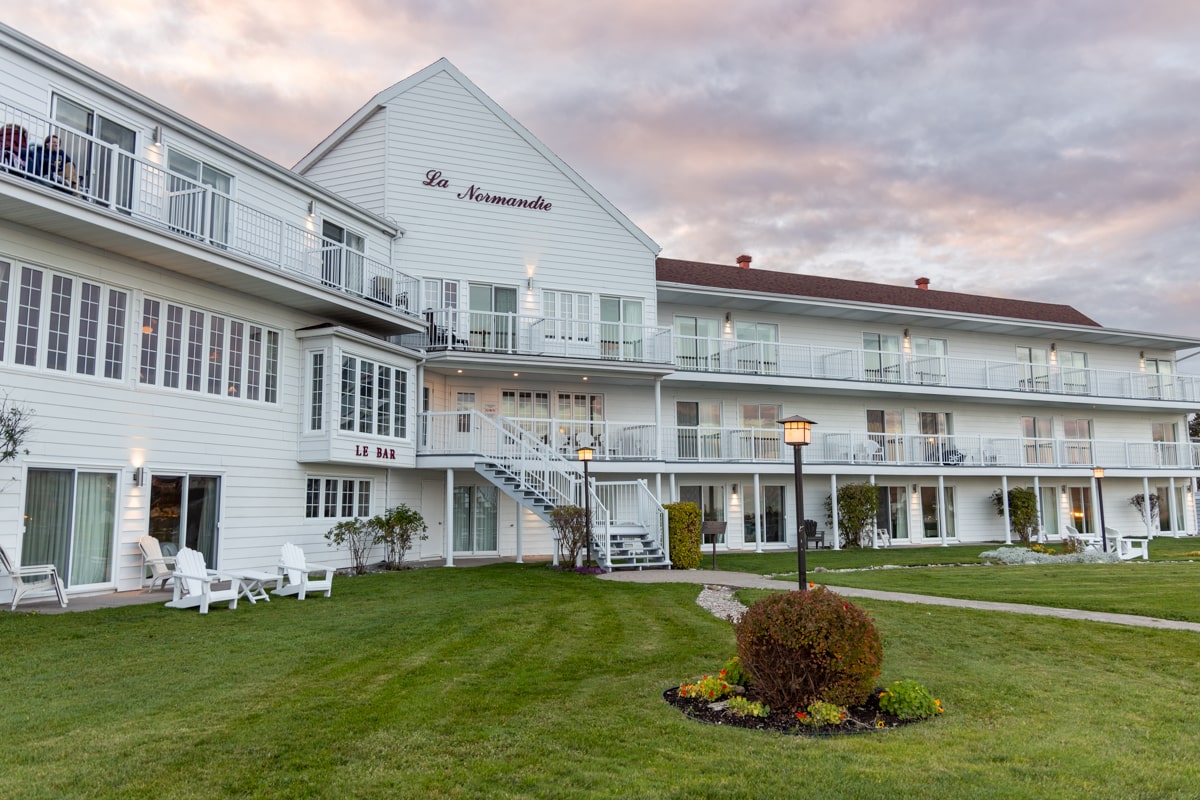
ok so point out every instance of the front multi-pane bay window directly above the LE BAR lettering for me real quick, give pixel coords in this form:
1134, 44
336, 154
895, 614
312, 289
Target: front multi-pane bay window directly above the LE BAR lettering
374, 399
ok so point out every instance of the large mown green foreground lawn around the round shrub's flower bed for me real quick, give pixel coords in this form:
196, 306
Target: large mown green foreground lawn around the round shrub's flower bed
518, 682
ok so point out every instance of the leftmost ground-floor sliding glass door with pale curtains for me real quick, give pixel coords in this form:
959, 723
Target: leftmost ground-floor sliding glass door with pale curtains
70, 521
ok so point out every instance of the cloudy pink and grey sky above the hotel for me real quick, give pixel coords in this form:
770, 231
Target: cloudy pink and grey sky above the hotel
1047, 151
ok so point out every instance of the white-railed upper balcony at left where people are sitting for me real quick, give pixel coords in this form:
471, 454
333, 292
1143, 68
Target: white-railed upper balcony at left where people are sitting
105, 177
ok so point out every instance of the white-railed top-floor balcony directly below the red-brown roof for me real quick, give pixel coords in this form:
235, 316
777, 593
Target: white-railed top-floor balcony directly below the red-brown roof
697, 354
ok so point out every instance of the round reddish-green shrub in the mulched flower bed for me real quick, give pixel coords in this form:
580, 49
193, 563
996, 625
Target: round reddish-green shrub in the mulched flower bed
807, 647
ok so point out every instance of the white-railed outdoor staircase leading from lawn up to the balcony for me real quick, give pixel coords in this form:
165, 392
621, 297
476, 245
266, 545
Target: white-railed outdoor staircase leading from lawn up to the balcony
629, 526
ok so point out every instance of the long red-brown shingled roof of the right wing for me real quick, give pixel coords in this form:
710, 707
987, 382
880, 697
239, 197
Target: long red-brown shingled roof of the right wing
721, 276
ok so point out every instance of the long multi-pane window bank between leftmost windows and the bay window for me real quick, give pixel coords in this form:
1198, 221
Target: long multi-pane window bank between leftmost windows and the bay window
208, 353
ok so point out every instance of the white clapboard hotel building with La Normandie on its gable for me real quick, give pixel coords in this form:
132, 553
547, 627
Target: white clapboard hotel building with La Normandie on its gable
433, 309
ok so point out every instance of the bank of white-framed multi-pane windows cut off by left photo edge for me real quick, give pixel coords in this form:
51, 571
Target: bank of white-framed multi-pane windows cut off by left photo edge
59, 321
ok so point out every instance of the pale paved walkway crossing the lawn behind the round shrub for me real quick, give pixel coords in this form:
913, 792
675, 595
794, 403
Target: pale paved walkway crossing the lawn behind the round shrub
748, 581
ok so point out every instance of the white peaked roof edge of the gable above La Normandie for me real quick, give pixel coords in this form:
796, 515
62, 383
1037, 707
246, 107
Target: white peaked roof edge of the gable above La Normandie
445, 67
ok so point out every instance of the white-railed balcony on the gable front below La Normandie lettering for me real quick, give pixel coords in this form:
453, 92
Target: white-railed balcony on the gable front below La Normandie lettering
512, 334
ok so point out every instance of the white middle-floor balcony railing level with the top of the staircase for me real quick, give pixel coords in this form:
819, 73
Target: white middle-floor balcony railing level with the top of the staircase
449, 434
